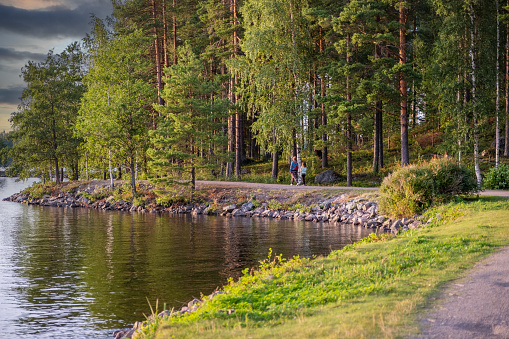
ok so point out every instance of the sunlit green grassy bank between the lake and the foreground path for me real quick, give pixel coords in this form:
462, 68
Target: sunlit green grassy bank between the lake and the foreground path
371, 289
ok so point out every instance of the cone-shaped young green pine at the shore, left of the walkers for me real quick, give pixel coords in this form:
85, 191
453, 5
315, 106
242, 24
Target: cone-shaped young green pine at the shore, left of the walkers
188, 121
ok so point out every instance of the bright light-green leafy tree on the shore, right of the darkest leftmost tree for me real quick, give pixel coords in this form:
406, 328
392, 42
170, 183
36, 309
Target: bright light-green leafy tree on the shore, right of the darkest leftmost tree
114, 113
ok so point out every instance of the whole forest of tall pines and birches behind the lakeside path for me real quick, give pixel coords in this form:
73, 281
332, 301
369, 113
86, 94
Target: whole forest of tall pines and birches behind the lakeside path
175, 90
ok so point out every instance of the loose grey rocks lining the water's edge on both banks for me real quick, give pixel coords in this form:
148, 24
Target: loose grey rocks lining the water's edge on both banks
361, 211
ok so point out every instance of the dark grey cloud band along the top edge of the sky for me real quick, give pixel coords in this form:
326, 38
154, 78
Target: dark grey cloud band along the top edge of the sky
54, 21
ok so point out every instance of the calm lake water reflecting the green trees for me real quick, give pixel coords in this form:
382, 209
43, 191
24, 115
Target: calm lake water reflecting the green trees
80, 273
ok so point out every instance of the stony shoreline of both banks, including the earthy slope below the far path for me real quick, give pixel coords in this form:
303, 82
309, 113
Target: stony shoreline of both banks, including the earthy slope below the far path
333, 207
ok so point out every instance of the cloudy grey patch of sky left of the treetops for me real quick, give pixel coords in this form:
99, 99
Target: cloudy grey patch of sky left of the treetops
29, 29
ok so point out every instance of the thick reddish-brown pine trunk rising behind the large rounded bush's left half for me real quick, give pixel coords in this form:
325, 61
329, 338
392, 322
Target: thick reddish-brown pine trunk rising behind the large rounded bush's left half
403, 86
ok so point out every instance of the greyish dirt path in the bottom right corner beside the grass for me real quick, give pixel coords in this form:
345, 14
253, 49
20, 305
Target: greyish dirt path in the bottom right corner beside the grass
476, 306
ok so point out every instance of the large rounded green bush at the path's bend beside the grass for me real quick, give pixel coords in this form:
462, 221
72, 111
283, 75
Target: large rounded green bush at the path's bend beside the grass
412, 189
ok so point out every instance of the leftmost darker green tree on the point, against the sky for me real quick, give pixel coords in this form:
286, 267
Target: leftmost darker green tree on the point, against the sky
43, 125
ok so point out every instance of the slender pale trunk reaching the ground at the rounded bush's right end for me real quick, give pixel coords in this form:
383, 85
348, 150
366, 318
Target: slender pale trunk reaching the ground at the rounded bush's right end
477, 167
